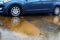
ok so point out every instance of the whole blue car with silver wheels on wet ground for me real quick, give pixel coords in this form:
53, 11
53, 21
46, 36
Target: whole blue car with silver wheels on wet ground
18, 7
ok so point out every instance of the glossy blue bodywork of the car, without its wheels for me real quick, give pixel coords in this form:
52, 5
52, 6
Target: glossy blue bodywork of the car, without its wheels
30, 6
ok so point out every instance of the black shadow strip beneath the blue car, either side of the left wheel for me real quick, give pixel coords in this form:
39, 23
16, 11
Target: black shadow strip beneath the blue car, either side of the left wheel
28, 14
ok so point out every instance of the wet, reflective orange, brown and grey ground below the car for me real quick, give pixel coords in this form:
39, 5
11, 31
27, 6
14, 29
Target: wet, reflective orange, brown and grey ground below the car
30, 28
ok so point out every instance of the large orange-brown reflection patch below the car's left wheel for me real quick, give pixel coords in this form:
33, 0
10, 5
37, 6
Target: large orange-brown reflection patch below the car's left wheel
21, 25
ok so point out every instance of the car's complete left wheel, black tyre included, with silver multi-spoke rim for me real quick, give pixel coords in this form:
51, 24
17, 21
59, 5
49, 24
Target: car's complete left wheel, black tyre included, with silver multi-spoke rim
15, 11
